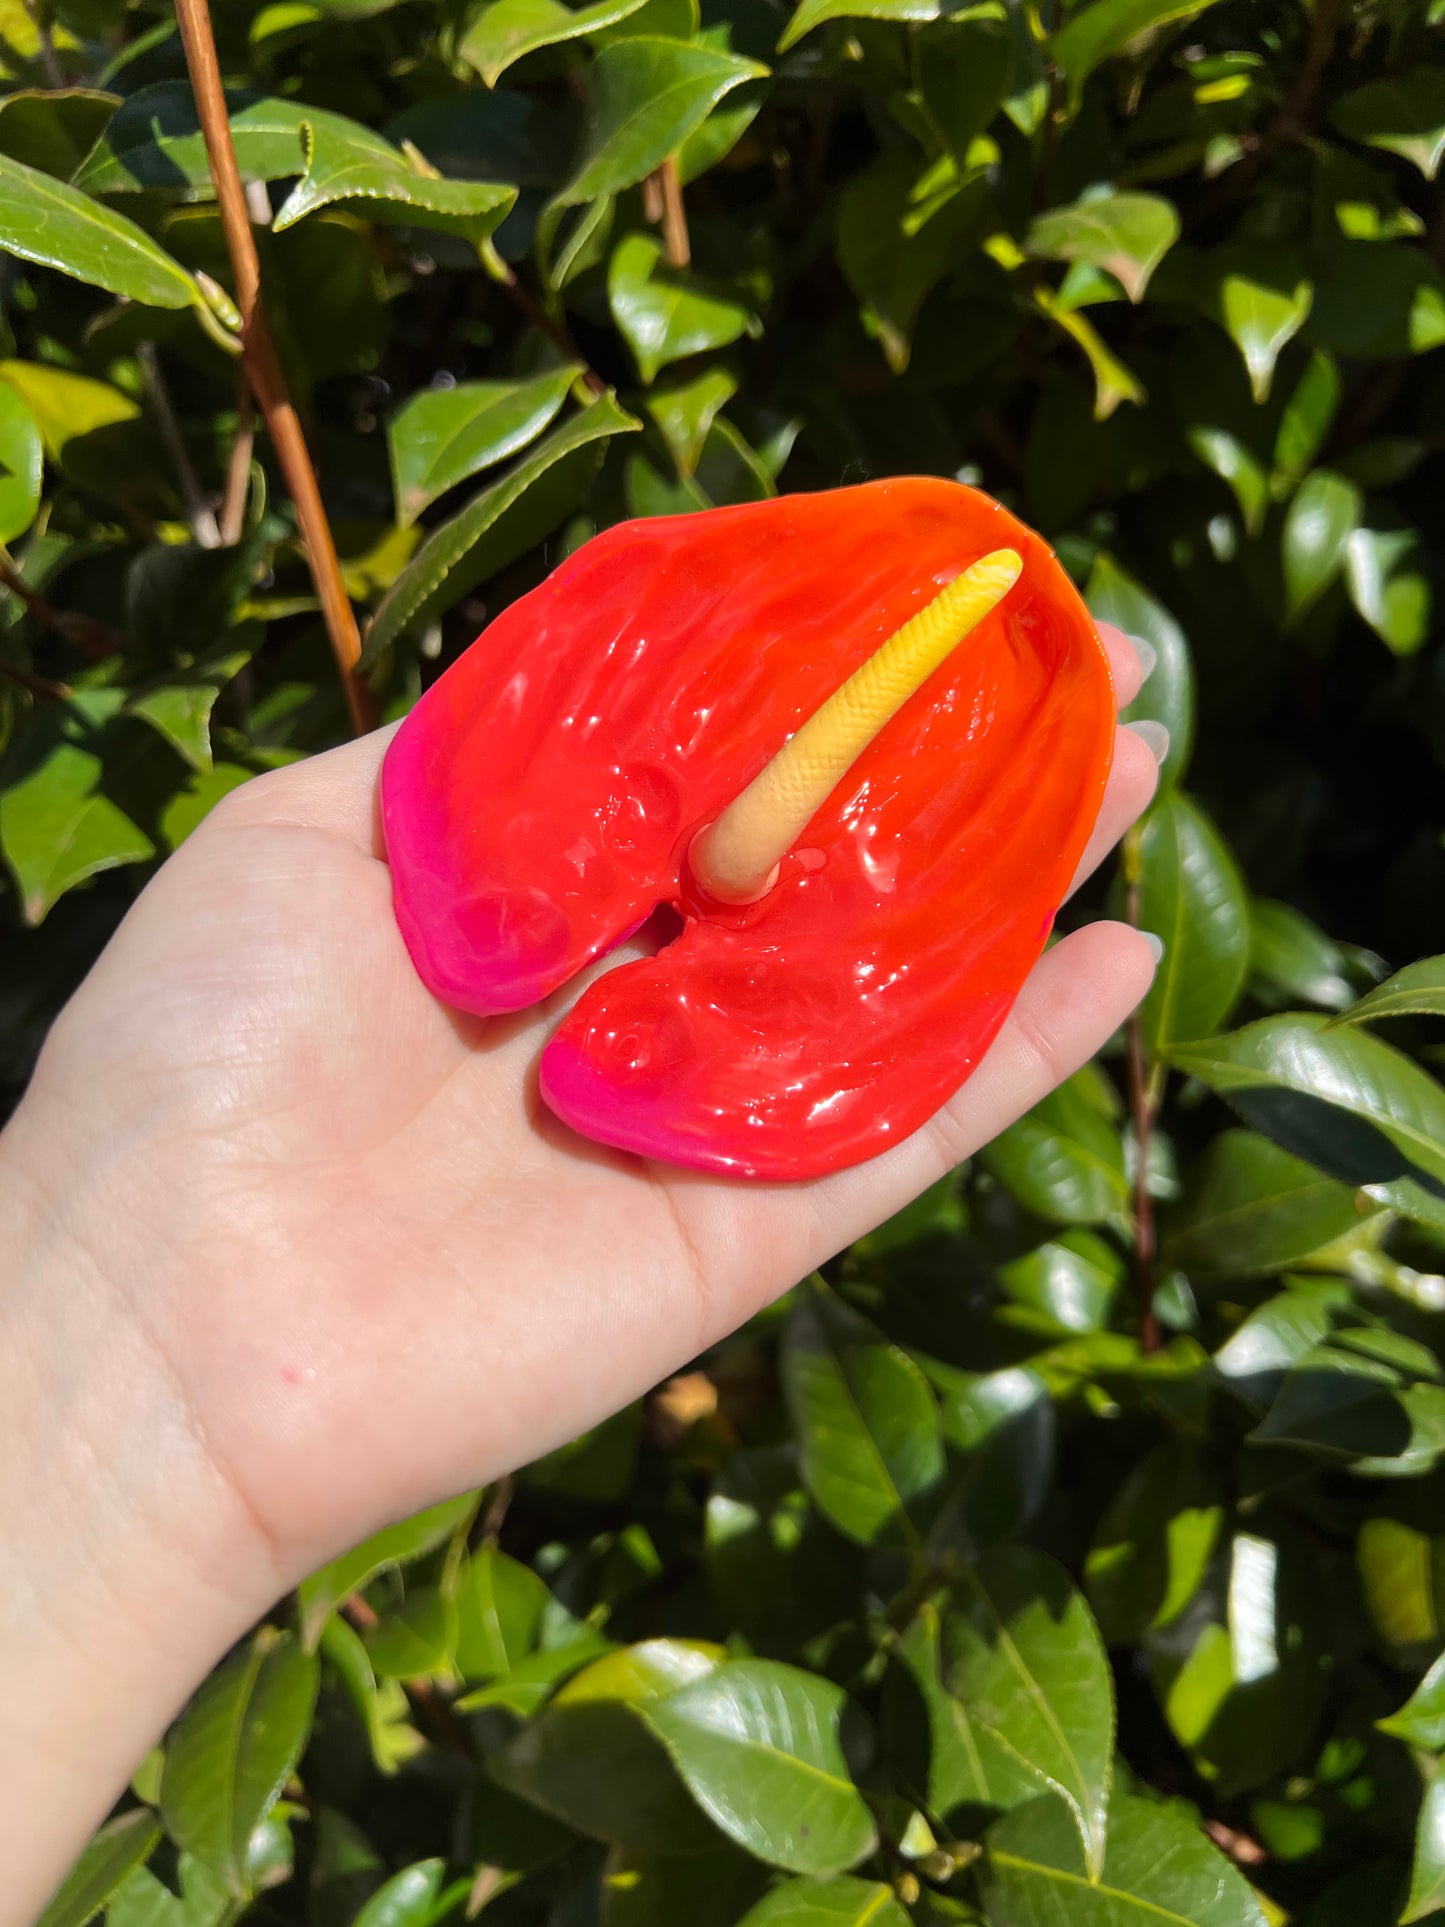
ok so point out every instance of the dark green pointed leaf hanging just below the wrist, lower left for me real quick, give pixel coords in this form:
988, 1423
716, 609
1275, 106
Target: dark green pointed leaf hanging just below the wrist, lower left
234, 1751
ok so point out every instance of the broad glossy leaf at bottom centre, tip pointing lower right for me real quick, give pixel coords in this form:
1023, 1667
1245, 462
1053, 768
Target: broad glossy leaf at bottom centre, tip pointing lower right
762, 1751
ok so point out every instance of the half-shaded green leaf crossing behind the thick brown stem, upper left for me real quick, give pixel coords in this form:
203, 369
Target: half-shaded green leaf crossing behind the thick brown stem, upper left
155, 144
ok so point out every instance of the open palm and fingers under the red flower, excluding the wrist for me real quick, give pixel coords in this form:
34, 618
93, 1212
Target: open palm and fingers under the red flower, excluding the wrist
367, 1254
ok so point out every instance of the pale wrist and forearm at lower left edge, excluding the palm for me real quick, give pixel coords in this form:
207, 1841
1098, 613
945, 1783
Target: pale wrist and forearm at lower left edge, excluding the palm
130, 1560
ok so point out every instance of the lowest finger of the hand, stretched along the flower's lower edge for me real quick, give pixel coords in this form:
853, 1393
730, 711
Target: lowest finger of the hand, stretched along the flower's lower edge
1076, 997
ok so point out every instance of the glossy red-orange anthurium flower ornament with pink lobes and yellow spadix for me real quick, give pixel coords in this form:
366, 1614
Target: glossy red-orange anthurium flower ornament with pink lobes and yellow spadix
856, 739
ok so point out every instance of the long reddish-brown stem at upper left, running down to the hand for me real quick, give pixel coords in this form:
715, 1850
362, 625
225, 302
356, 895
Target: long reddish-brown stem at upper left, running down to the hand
263, 365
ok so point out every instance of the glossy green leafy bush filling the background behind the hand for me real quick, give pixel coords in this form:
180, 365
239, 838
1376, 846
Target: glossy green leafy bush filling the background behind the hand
1076, 1550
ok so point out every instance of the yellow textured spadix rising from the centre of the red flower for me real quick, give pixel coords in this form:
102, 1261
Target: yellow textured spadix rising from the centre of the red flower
737, 858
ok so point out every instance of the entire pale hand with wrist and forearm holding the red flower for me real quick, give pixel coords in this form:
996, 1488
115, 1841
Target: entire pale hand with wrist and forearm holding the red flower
292, 1252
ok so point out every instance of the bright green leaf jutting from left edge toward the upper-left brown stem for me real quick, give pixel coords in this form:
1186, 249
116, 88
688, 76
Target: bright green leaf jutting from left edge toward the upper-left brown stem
59, 226
